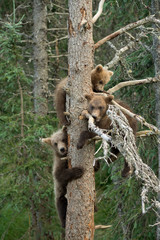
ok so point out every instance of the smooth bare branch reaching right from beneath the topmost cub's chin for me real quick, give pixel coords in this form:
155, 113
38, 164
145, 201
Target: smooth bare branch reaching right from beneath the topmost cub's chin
132, 83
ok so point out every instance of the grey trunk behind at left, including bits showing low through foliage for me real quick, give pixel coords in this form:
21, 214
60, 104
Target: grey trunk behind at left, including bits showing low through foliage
40, 85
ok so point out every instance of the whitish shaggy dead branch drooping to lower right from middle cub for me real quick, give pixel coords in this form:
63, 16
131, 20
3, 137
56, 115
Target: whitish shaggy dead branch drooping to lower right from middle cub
123, 139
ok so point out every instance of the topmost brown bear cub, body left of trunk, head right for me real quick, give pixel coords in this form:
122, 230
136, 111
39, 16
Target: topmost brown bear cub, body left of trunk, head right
99, 77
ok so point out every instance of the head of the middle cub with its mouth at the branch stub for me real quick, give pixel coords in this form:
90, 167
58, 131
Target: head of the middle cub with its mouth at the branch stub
98, 105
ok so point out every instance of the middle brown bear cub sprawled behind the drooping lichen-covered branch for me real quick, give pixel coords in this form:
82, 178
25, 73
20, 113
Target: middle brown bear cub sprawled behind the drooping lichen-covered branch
97, 107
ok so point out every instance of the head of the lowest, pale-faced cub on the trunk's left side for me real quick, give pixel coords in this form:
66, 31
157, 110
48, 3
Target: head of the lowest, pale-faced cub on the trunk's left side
58, 141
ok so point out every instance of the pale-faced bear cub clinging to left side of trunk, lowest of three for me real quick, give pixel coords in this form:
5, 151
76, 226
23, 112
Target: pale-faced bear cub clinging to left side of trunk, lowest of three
61, 173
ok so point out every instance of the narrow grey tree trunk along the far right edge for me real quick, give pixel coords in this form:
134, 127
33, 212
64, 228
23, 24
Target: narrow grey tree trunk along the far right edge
156, 58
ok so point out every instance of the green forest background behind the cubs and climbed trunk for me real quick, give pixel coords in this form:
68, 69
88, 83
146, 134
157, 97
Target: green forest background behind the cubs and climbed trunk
27, 208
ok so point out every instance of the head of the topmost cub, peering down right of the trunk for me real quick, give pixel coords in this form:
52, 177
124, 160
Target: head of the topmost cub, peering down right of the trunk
100, 76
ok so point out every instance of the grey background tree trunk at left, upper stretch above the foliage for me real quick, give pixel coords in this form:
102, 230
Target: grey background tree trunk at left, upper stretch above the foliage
40, 57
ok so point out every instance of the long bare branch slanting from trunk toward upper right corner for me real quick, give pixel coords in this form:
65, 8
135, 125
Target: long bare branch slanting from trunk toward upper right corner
127, 28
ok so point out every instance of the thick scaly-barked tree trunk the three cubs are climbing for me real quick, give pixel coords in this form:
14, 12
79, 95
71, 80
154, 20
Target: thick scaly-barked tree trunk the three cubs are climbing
80, 193
